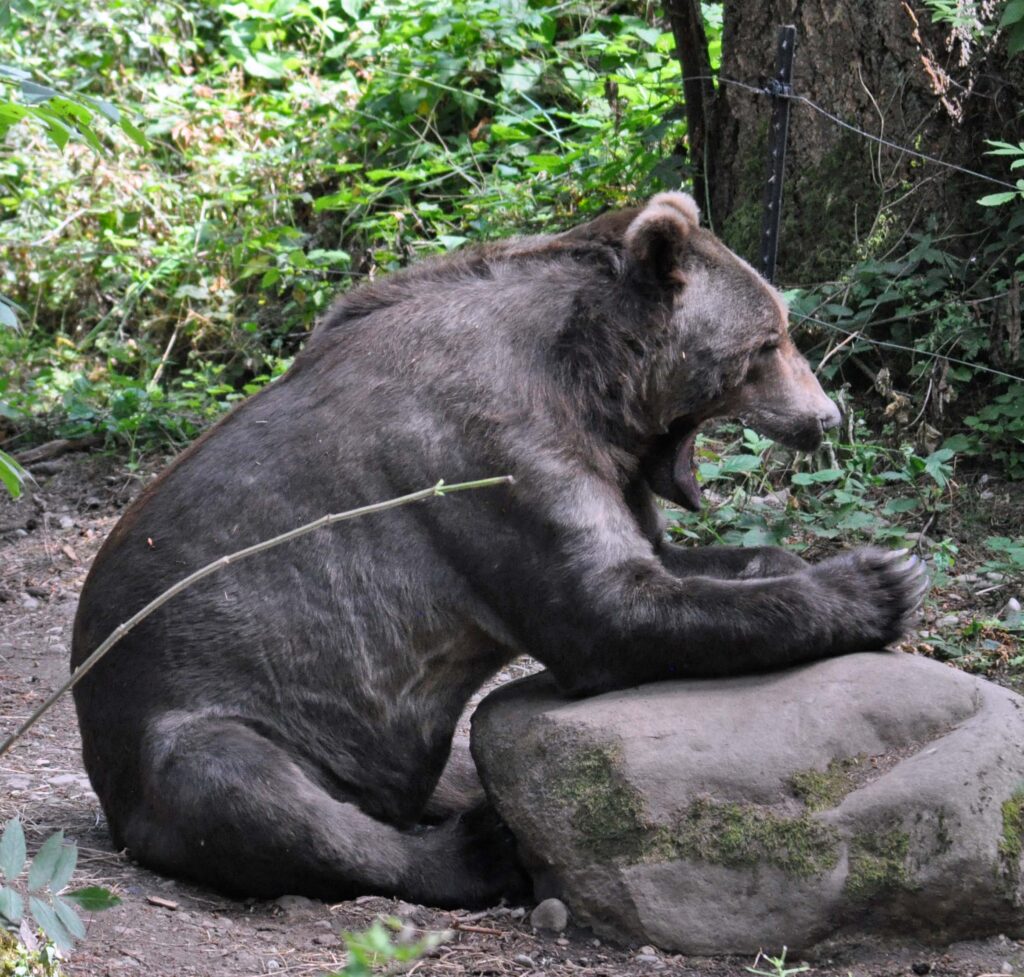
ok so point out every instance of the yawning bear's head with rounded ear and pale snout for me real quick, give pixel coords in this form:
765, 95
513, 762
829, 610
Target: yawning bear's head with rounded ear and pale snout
727, 349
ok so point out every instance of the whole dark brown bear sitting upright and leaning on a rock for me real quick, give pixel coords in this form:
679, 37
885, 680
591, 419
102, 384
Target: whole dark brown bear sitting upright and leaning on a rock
287, 726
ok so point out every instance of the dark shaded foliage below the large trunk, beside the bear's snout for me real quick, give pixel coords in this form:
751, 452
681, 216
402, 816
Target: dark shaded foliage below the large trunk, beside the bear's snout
938, 337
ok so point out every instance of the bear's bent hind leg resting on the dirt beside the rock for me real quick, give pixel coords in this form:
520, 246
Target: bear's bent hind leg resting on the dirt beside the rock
227, 806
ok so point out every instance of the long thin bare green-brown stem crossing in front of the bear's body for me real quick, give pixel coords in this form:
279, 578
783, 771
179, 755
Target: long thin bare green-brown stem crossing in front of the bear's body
440, 490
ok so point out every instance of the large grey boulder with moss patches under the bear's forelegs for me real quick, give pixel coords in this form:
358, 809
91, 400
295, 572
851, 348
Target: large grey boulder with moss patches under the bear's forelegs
865, 794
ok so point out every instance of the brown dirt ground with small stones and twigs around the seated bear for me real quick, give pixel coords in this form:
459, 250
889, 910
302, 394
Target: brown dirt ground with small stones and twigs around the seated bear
168, 929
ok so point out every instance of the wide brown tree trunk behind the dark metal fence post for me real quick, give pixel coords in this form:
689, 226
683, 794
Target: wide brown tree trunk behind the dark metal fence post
883, 67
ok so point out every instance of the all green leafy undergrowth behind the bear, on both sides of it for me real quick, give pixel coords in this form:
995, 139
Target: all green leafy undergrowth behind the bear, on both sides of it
287, 150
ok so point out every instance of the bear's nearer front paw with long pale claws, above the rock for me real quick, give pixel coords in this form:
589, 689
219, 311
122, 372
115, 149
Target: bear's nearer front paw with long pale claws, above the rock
876, 596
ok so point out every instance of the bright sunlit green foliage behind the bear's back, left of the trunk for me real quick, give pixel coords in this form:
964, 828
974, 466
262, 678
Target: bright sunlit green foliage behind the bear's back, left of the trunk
297, 147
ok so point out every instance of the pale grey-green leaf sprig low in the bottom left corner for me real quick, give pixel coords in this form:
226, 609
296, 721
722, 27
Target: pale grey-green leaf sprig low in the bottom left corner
49, 874
